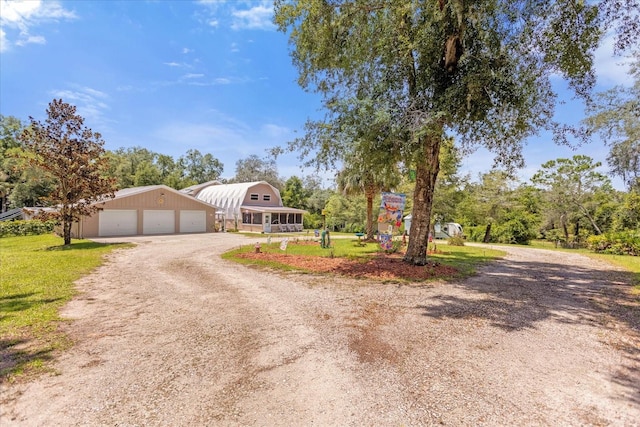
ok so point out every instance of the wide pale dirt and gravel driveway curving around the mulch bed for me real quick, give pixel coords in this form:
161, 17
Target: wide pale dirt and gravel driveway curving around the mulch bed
169, 334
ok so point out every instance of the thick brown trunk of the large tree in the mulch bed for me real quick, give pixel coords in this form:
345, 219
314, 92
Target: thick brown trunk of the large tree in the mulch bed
426, 174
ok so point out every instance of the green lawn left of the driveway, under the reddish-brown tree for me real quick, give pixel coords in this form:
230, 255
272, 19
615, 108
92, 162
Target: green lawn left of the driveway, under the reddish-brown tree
36, 280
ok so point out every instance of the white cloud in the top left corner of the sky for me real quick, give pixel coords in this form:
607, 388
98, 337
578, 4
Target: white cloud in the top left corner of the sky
20, 17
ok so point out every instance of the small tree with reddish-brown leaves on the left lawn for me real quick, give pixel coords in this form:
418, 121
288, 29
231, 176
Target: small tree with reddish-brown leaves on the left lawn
74, 157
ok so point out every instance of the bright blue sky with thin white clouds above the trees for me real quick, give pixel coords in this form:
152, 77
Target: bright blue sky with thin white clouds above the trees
170, 76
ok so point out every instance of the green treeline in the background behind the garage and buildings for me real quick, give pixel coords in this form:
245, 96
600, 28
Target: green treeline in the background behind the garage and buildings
567, 201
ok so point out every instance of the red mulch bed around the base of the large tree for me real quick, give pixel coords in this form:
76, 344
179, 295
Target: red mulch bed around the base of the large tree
382, 266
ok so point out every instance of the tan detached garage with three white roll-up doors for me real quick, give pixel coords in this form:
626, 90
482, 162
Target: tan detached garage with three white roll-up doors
155, 209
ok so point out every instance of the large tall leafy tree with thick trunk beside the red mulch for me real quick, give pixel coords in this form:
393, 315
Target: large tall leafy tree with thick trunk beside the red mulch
478, 70
